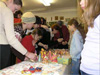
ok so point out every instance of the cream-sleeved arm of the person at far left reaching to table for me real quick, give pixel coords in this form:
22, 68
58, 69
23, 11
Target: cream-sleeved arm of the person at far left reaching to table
9, 31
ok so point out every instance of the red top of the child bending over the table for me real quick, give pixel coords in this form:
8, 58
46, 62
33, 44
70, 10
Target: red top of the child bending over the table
27, 43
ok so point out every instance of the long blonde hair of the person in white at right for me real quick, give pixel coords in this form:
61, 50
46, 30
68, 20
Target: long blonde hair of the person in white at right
91, 11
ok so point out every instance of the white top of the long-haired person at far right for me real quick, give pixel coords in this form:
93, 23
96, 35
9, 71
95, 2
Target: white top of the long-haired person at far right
90, 62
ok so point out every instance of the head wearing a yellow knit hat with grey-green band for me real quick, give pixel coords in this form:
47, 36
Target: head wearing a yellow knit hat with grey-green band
28, 20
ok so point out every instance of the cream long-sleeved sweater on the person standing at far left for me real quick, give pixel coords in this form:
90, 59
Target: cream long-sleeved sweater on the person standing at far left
7, 35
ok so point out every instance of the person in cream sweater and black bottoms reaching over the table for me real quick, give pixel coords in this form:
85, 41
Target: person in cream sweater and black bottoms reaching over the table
7, 35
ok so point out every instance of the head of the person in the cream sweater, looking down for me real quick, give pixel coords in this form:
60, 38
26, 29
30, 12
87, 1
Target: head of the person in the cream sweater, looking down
14, 5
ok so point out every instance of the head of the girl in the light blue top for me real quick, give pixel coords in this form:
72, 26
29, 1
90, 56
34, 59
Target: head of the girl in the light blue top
72, 25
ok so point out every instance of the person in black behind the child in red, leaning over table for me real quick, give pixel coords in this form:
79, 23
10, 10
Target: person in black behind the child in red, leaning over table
43, 43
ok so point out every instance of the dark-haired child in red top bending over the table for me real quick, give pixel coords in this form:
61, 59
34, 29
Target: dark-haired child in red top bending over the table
29, 42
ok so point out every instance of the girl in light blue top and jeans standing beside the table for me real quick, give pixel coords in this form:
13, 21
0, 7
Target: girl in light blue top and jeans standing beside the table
75, 46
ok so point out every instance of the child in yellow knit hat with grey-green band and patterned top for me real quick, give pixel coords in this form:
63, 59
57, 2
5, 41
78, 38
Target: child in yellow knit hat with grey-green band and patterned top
28, 20
